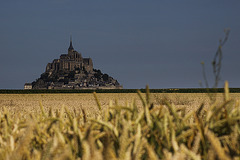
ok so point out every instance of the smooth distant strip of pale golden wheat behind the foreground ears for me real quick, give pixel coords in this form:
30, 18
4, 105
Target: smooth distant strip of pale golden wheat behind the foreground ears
30, 103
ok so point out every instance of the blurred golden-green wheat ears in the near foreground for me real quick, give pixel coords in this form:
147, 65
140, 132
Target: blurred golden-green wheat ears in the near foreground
125, 132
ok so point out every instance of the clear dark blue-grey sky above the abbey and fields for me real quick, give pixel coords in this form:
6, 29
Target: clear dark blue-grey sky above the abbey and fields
137, 42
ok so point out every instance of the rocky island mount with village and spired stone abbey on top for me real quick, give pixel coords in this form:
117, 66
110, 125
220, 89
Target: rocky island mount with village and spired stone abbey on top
72, 71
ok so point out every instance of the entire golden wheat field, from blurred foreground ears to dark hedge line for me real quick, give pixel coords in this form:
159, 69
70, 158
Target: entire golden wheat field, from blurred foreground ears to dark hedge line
125, 126
